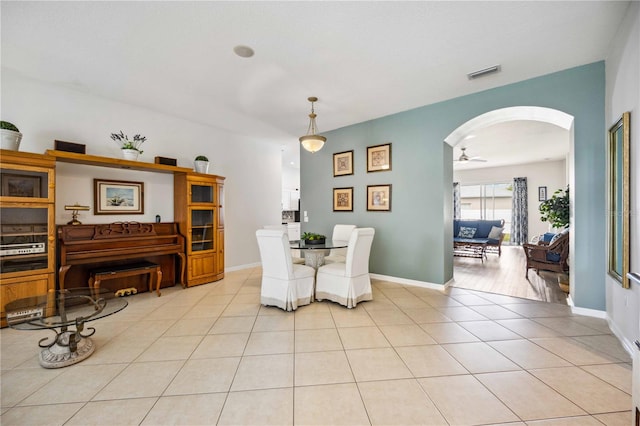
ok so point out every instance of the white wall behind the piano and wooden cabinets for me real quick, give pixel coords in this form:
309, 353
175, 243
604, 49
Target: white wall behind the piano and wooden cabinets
253, 187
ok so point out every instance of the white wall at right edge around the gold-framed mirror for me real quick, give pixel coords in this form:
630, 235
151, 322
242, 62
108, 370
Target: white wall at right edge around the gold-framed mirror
623, 94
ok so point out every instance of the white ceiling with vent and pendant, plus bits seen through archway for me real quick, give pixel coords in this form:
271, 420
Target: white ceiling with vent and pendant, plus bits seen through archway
362, 59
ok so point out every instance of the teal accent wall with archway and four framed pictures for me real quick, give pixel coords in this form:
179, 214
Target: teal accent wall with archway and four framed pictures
413, 241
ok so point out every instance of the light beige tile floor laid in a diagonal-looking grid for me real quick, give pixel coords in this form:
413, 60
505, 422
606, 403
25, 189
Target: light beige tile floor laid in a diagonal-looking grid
213, 355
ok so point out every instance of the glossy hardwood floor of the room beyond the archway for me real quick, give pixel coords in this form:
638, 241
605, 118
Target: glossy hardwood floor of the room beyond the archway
505, 275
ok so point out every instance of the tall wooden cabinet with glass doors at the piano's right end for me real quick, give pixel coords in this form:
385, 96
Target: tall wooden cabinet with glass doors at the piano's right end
198, 209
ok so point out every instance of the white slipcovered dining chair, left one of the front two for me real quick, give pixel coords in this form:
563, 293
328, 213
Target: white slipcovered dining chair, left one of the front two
284, 284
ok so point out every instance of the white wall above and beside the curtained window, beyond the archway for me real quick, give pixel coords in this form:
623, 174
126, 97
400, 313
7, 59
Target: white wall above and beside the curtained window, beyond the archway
551, 174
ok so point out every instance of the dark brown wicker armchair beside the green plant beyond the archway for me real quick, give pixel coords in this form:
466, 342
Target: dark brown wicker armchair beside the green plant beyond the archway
551, 256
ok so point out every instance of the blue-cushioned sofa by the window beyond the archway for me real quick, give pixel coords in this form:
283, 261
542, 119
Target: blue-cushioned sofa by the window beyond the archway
478, 232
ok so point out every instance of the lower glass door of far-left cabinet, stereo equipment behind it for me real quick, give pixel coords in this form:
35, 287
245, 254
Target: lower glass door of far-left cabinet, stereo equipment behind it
24, 239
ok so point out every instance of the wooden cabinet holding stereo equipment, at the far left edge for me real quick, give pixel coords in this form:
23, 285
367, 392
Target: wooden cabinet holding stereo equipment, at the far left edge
27, 231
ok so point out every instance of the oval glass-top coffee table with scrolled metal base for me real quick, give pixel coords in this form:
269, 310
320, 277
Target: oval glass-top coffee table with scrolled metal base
64, 312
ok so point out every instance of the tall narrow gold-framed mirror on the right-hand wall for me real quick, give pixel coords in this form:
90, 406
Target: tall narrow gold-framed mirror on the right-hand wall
619, 215
